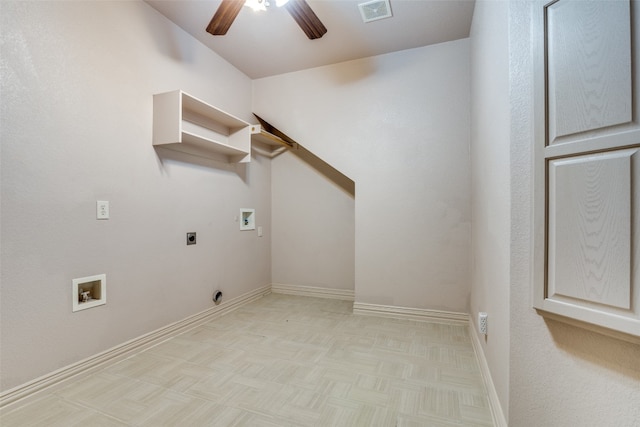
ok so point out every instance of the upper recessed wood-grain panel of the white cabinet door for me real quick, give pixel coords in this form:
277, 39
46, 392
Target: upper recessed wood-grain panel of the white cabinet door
589, 66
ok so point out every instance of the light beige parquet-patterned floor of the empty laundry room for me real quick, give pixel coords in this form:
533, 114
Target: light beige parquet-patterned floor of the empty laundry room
282, 361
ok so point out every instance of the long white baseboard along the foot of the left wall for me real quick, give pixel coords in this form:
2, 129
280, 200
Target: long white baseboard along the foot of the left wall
129, 348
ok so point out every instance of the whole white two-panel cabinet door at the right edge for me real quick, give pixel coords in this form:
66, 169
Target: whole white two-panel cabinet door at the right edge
587, 165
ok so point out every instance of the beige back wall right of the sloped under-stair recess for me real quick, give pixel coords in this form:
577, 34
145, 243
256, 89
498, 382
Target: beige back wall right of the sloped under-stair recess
398, 125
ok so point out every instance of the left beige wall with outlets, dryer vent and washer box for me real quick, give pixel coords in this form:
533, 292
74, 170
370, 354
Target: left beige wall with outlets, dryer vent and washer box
77, 85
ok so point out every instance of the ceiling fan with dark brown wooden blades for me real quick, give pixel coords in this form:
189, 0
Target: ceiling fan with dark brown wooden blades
299, 10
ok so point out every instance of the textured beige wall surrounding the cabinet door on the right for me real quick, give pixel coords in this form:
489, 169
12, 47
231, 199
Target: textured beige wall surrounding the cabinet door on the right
560, 375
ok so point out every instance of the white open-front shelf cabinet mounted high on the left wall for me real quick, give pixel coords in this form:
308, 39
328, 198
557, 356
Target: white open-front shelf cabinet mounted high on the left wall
184, 123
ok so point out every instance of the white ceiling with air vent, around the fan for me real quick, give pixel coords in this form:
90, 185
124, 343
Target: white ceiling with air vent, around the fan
267, 43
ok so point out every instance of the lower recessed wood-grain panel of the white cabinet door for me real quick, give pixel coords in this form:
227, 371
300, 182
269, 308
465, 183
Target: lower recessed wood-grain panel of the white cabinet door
590, 228
